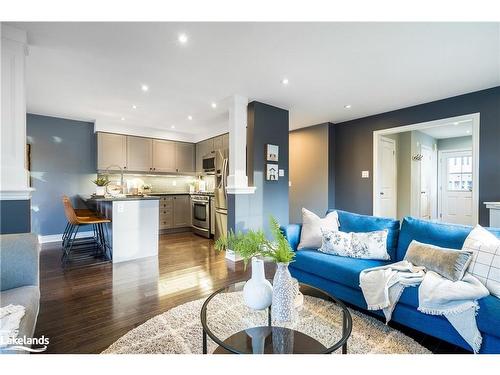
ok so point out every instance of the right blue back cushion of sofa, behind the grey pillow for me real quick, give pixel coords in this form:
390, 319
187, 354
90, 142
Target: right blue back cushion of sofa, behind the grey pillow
451, 236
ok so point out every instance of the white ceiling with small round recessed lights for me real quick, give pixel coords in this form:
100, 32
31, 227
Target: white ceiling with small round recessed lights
94, 71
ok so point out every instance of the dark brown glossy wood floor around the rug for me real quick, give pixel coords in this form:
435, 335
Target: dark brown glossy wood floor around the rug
84, 310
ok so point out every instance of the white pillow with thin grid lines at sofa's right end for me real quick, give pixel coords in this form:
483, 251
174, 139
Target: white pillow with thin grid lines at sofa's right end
485, 263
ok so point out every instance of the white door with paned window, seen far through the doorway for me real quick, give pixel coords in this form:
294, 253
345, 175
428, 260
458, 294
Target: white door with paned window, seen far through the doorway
456, 187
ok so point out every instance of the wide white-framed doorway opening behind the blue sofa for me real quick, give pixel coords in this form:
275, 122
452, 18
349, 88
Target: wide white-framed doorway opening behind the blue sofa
434, 174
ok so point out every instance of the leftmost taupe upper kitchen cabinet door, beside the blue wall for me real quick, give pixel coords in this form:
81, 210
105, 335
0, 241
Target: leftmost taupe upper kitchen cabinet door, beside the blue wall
111, 151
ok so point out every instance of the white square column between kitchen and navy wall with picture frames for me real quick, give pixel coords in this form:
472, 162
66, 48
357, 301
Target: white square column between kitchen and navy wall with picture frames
237, 181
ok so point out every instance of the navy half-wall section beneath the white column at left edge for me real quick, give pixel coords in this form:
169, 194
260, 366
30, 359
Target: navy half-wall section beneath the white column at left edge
15, 216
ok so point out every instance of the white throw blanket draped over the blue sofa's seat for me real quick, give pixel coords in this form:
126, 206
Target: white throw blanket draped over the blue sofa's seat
456, 300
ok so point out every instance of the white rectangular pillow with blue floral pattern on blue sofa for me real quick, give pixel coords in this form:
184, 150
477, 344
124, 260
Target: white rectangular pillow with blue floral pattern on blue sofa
369, 245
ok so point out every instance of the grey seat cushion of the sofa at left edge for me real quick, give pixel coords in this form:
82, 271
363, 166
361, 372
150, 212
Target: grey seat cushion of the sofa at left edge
29, 297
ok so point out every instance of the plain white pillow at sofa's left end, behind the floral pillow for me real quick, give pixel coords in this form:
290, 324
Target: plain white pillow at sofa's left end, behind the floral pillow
312, 226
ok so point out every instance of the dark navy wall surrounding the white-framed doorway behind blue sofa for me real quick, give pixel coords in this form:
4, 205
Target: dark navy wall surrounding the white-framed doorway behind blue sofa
353, 143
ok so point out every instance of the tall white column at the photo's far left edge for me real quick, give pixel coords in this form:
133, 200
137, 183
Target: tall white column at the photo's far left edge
14, 176
